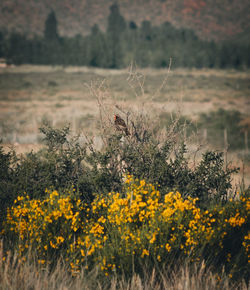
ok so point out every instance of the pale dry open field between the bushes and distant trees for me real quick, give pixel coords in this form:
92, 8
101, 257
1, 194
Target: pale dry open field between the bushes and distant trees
30, 95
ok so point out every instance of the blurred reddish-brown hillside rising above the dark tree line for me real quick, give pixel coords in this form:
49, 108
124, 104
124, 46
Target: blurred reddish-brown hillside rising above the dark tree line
210, 19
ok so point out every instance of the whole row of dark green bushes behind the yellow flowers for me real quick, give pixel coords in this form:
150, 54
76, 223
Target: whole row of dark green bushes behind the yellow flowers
146, 154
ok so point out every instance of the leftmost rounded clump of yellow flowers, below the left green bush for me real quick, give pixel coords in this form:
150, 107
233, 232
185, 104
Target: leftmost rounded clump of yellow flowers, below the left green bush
44, 224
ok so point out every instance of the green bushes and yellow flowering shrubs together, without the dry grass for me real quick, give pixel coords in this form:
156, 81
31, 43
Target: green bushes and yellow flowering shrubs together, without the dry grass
135, 202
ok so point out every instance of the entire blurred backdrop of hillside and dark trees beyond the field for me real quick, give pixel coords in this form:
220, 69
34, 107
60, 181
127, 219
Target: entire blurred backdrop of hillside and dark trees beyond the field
194, 33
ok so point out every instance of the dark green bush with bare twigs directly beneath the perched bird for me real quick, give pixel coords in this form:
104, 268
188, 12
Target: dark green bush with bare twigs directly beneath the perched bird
160, 157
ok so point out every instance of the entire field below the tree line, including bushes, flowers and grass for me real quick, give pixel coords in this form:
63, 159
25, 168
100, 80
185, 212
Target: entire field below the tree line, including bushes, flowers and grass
134, 208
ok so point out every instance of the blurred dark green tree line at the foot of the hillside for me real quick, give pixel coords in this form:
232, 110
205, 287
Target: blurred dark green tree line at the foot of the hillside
122, 43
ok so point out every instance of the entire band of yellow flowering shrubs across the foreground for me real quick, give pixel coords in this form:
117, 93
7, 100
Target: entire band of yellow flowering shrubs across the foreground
118, 230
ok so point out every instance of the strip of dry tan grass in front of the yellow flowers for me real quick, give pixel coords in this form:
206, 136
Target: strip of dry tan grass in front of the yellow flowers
16, 275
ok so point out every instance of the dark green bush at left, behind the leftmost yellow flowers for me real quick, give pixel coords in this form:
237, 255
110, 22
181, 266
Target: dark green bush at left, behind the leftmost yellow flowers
55, 167
